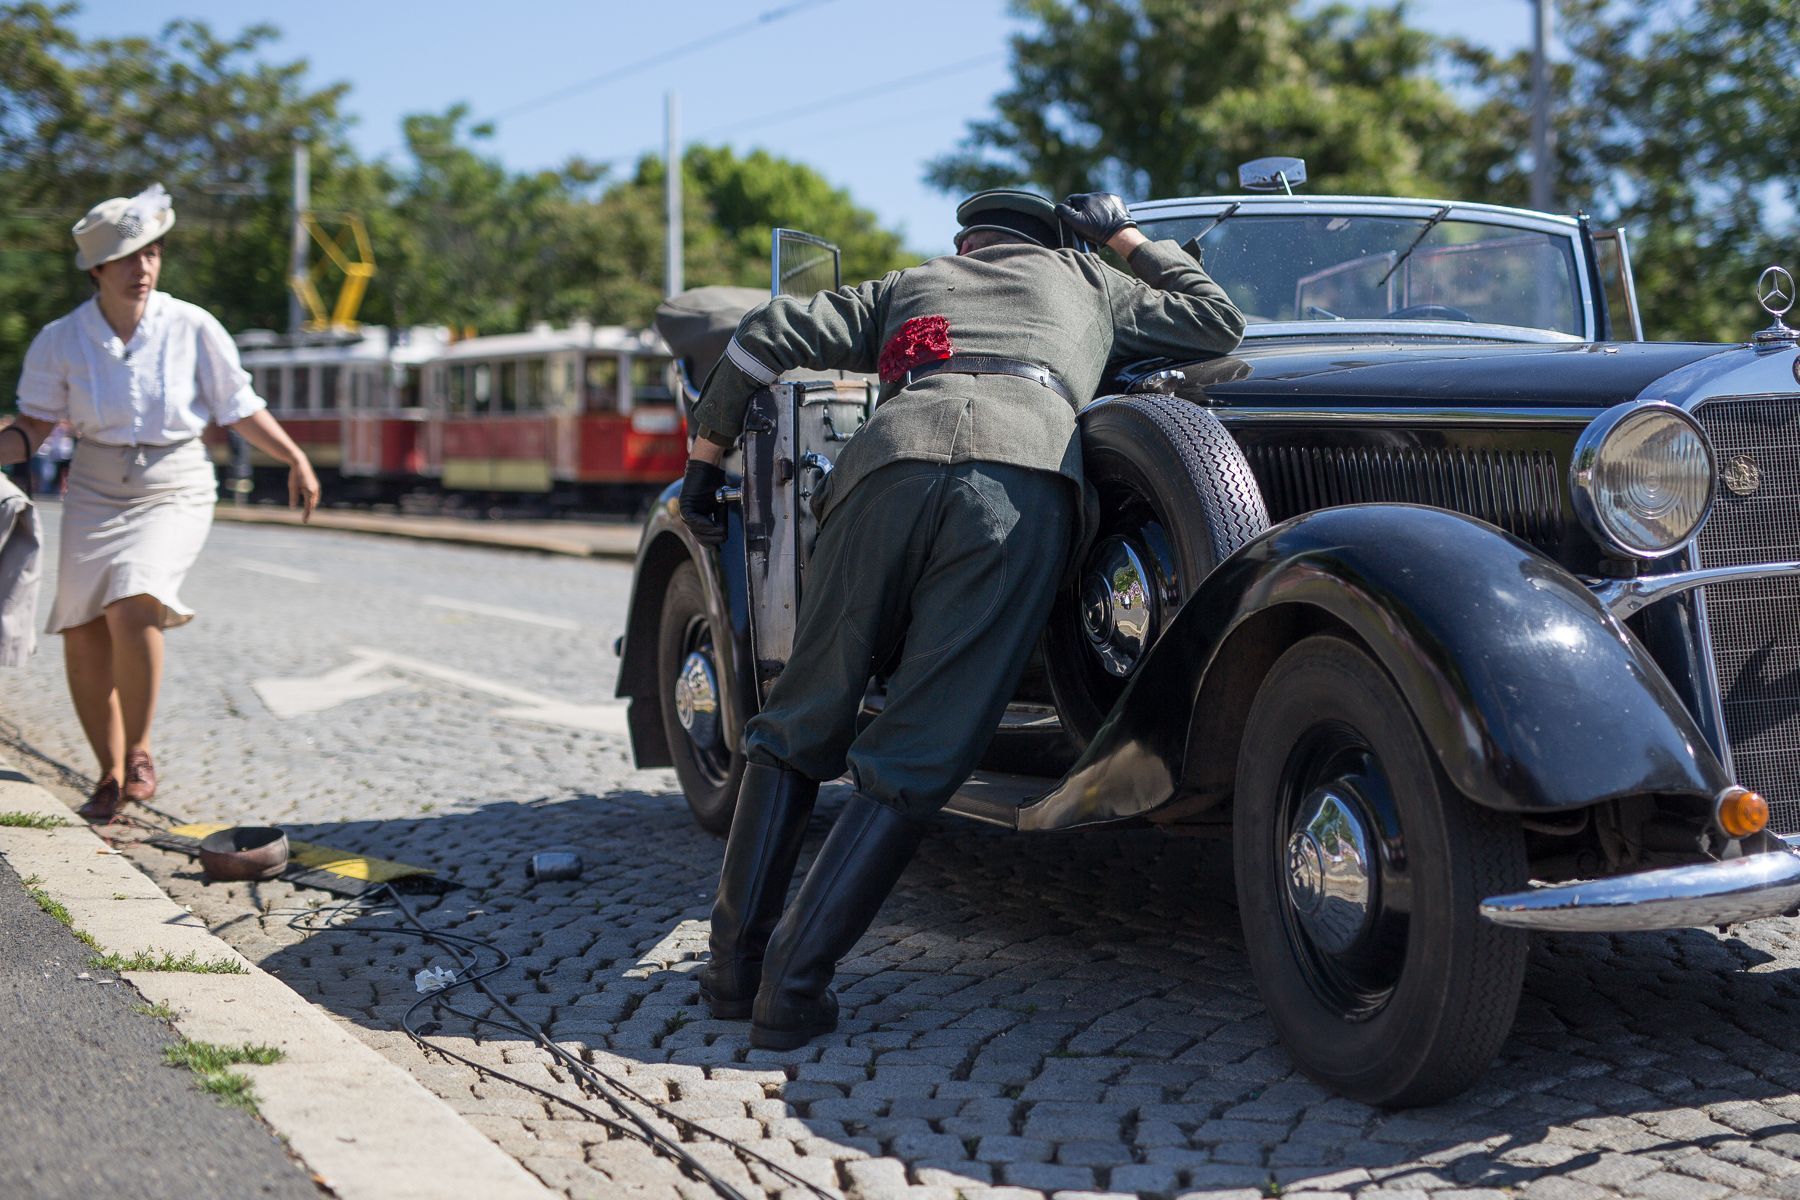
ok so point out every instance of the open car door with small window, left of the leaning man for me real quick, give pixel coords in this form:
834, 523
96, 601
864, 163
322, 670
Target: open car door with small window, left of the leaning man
793, 433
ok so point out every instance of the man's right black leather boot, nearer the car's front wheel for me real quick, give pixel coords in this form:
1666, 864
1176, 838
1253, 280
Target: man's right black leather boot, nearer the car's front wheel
858, 866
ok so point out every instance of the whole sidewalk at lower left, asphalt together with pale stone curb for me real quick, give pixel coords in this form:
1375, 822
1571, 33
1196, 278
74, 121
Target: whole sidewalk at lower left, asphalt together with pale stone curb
80, 1080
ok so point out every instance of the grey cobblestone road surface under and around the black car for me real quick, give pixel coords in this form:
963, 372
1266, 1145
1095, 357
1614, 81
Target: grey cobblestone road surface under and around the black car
1066, 1014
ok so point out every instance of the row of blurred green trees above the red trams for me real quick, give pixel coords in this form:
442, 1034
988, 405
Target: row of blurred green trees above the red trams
458, 238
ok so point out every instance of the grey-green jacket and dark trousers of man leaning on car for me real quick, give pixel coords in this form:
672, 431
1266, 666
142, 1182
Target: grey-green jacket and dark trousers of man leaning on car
949, 517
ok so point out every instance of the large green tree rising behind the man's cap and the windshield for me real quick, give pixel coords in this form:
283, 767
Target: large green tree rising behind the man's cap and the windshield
1165, 98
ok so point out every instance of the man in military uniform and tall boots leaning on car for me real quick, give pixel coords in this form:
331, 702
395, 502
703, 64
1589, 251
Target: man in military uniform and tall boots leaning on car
944, 530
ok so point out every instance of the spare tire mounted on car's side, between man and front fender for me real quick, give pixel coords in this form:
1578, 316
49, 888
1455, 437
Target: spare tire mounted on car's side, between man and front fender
1178, 494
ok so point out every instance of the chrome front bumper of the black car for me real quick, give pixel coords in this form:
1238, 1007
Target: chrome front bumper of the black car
1709, 893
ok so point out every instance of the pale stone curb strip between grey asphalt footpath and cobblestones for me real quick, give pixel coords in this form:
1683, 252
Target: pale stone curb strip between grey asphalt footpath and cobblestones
359, 1122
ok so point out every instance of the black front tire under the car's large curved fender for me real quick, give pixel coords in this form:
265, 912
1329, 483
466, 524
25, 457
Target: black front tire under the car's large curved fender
1410, 1005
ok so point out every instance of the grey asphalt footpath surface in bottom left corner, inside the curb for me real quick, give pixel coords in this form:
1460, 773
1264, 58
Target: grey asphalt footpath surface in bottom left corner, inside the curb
89, 1109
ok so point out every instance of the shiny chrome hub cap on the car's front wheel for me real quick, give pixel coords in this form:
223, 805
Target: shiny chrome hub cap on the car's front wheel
1331, 881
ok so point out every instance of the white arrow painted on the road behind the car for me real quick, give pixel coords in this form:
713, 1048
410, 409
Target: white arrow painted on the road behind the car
294, 697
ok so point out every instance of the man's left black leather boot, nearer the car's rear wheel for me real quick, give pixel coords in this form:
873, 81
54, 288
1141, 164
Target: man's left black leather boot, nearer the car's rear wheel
760, 854
